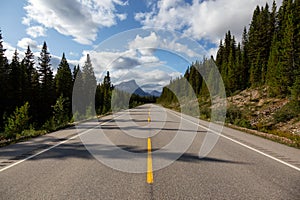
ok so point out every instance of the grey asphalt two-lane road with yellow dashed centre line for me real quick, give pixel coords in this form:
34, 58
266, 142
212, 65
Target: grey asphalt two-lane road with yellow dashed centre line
130, 155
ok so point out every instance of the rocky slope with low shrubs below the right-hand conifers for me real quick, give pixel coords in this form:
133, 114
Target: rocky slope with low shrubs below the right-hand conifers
278, 117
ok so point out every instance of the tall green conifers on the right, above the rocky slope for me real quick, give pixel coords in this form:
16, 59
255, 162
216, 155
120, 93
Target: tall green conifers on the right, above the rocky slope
268, 55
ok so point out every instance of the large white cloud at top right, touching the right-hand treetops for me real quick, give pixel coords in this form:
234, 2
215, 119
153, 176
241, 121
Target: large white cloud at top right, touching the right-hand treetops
202, 19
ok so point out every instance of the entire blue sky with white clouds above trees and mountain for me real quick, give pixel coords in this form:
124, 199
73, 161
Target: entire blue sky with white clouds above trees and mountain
146, 40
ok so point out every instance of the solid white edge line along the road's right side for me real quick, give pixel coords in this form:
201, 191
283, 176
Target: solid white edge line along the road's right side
242, 144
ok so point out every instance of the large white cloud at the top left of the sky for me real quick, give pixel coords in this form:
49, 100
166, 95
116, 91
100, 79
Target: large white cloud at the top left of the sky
80, 19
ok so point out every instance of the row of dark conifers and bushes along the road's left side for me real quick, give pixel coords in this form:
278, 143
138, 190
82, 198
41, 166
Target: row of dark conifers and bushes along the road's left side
32, 97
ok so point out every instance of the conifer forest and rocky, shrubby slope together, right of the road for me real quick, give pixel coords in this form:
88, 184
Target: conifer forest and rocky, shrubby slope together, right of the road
261, 76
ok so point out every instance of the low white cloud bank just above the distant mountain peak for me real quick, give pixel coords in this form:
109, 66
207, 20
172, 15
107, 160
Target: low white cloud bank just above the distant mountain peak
138, 61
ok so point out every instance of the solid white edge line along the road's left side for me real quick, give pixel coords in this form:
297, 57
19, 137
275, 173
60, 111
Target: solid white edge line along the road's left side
56, 145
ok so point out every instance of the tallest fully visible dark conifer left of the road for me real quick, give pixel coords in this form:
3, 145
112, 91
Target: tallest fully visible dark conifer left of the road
47, 91
